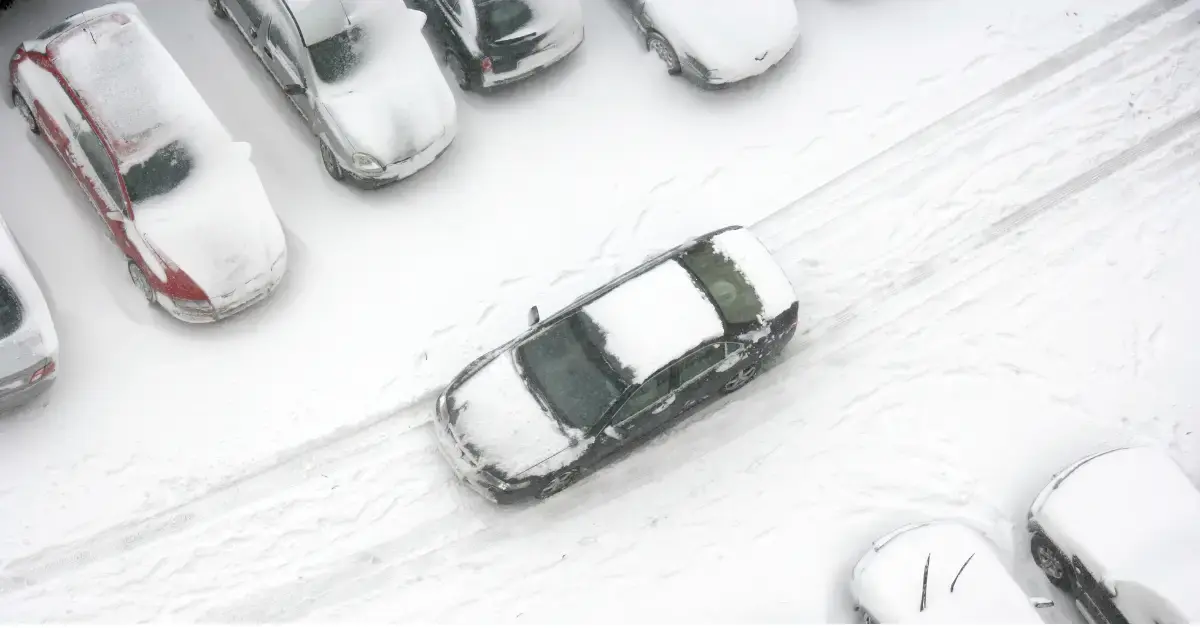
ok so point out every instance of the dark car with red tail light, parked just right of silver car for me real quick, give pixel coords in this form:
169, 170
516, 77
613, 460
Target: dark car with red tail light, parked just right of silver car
496, 43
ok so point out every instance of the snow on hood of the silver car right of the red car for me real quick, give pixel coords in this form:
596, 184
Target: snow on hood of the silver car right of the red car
398, 104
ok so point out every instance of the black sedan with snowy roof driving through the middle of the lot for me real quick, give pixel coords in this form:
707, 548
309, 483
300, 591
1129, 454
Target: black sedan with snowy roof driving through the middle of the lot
616, 367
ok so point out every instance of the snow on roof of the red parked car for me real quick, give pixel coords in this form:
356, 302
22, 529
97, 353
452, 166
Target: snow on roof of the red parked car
133, 87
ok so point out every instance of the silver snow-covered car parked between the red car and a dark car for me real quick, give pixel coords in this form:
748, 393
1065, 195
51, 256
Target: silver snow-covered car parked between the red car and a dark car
362, 76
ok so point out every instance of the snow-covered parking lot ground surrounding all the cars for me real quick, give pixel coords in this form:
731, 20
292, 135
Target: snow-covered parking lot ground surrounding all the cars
987, 208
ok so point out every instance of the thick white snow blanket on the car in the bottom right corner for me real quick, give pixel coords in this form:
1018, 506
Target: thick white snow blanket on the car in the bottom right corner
1133, 517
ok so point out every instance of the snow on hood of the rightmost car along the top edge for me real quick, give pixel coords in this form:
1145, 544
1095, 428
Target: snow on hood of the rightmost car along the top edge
728, 37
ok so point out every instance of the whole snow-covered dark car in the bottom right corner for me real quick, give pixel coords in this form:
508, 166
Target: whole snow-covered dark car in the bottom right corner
1120, 531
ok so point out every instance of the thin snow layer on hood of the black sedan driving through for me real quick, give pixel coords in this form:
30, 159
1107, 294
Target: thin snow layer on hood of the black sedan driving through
496, 414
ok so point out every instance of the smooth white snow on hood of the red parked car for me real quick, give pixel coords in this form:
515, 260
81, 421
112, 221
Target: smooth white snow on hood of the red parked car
219, 226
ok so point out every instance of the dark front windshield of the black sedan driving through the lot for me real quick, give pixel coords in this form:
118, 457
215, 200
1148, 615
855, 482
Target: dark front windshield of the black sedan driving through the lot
574, 374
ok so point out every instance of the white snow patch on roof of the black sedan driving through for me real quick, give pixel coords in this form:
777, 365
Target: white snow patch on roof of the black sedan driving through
656, 319
